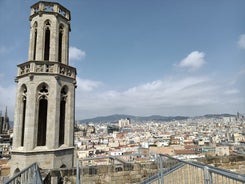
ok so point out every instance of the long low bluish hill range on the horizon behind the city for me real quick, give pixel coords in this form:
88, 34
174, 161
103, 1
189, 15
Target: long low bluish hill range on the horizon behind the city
116, 117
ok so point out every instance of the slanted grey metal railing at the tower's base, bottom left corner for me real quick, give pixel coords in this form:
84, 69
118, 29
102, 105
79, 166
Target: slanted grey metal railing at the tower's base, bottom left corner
29, 175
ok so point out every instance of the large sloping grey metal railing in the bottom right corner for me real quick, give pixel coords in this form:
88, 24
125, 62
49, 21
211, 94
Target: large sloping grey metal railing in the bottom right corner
173, 170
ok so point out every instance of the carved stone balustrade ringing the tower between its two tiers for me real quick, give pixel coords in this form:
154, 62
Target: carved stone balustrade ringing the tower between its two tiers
39, 67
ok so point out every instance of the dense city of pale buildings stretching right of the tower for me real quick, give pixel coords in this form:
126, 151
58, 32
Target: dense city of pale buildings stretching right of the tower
191, 138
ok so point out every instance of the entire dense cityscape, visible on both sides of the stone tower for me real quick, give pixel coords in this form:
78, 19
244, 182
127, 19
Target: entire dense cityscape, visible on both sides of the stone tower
194, 138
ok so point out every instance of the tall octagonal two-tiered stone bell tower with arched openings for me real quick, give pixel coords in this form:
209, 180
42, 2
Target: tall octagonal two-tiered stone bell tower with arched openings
45, 97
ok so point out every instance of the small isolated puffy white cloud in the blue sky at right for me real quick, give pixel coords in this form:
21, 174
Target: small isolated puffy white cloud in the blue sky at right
193, 61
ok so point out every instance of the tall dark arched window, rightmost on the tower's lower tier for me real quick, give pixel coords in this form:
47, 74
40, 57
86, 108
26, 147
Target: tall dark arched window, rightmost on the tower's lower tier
62, 116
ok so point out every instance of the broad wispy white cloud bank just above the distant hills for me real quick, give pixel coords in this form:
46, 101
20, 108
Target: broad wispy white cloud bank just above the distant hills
169, 96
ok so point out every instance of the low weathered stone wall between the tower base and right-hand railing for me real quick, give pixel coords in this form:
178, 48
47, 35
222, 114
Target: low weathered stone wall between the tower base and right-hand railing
102, 174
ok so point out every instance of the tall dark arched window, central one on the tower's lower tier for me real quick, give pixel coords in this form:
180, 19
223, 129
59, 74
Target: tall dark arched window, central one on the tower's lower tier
42, 116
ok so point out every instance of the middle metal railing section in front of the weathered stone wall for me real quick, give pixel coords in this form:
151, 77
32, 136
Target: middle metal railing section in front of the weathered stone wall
132, 168
